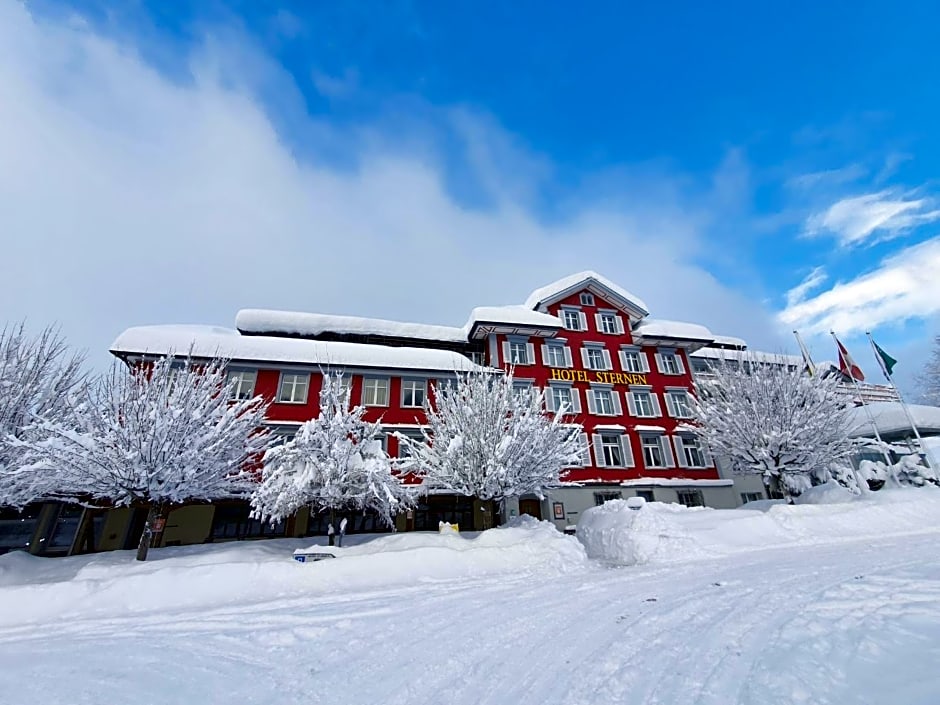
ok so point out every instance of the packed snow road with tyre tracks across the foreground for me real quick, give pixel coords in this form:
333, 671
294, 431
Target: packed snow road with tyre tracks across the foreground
853, 623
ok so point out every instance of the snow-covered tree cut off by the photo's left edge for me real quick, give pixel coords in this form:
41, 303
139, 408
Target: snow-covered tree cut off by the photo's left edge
38, 378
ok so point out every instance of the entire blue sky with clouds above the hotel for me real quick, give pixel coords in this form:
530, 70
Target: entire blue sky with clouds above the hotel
752, 168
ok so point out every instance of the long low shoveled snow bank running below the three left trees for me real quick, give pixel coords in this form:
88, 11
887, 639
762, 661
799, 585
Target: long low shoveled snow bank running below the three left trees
197, 576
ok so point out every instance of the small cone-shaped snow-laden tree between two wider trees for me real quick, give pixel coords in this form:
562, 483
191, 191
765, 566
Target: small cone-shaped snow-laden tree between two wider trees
335, 462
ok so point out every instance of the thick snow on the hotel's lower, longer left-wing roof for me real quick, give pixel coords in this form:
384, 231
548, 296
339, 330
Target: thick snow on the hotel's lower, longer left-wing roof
211, 341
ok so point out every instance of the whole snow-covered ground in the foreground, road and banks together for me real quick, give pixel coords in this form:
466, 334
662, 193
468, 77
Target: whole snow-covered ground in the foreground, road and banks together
517, 615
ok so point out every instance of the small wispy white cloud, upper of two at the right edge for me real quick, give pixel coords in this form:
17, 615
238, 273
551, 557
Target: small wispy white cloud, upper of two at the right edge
871, 217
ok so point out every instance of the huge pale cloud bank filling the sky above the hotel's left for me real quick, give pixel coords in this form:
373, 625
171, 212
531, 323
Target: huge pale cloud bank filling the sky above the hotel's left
128, 198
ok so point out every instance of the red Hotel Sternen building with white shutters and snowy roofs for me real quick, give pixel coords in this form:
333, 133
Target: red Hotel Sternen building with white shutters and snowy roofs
583, 339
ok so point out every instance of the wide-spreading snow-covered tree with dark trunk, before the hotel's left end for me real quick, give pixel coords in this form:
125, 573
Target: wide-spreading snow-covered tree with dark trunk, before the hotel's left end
157, 435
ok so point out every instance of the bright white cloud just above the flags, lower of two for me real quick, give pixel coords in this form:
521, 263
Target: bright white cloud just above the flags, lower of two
905, 286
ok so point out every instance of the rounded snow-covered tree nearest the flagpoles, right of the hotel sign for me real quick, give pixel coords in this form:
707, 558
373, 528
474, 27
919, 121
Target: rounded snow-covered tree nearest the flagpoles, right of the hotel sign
772, 420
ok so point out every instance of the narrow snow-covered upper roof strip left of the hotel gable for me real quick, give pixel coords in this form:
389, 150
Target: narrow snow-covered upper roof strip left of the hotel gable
262, 321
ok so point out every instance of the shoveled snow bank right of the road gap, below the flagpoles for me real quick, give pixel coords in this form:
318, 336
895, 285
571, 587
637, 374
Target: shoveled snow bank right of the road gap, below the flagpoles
661, 533
